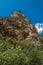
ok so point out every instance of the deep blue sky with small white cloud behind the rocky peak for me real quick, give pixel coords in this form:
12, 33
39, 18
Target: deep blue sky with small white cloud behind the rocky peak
33, 9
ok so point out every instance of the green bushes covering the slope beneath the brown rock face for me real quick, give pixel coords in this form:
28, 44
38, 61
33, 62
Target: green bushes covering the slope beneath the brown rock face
19, 52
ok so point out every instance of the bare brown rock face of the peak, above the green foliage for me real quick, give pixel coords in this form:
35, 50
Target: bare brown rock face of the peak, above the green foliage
17, 26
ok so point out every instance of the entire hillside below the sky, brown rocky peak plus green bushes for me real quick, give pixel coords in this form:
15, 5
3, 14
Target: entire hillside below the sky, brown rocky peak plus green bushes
20, 43
